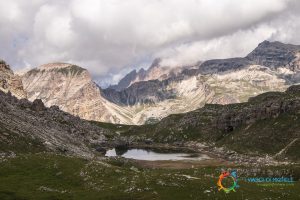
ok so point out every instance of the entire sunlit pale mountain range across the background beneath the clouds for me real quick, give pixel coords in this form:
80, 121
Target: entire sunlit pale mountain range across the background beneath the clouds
149, 95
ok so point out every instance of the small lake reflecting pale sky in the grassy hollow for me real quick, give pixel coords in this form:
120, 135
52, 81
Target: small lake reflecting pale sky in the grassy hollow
153, 155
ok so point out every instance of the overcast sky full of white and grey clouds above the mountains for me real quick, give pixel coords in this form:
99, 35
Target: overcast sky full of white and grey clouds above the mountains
111, 37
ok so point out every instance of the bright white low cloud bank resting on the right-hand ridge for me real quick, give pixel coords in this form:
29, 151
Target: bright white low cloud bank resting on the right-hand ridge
238, 44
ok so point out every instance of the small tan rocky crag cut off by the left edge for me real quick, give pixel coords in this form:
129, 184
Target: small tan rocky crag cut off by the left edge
10, 82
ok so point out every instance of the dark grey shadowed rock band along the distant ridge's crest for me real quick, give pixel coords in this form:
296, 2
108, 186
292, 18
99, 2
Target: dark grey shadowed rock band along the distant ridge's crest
273, 54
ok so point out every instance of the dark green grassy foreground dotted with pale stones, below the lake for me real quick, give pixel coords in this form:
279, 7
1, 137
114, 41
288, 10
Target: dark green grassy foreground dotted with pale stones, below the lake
48, 176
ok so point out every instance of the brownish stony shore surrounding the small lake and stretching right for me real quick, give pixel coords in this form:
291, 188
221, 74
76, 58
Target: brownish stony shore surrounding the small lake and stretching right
218, 155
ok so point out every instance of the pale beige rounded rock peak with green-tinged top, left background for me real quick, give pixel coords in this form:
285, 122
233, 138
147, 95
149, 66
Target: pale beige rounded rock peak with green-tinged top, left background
71, 88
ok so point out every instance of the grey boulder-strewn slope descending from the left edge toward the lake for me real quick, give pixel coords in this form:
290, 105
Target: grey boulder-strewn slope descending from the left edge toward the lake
30, 126
